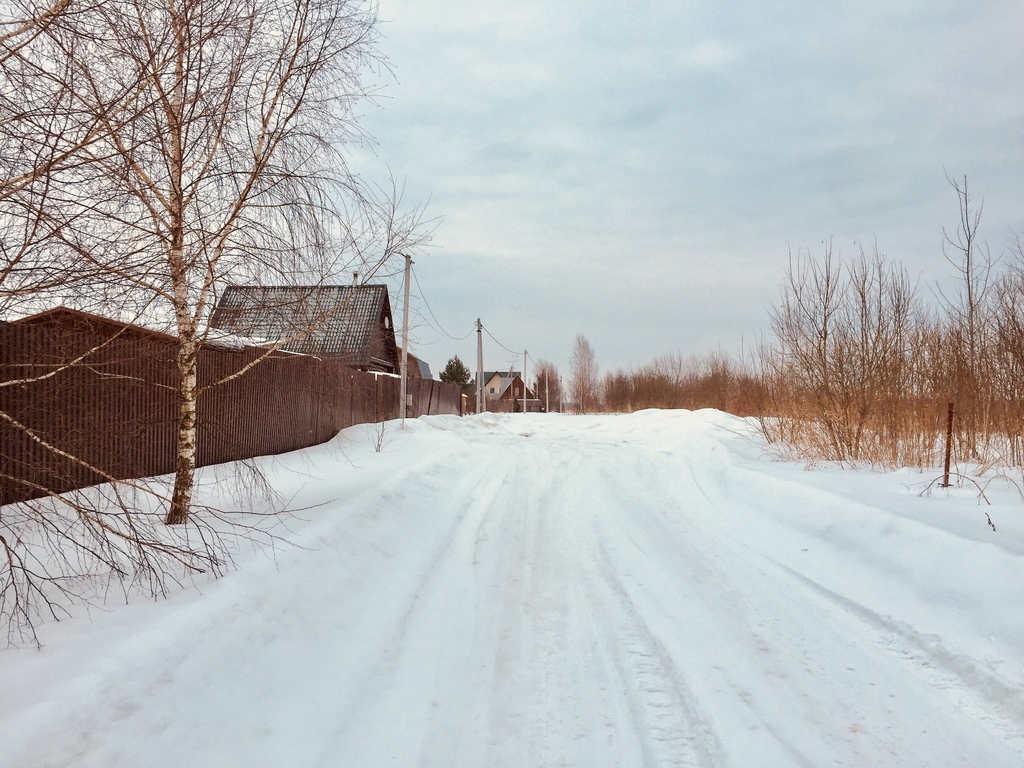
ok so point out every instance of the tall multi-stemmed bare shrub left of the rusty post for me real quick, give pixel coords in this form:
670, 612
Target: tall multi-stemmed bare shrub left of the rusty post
841, 367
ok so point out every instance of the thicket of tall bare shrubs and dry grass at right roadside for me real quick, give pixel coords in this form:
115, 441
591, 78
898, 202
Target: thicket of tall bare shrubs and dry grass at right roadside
864, 363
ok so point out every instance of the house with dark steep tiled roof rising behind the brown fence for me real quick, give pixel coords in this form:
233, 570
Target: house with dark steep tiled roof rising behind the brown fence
349, 324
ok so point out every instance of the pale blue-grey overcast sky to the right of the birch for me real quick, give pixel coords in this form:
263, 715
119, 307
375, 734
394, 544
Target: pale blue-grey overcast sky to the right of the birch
639, 172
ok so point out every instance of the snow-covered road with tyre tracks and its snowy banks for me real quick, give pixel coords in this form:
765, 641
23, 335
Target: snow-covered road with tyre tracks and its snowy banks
646, 590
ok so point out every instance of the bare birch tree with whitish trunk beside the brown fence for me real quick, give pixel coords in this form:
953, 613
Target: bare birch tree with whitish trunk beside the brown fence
153, 152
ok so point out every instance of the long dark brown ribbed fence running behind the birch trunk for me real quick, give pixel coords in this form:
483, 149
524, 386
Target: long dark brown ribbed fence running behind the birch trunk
71, 399
